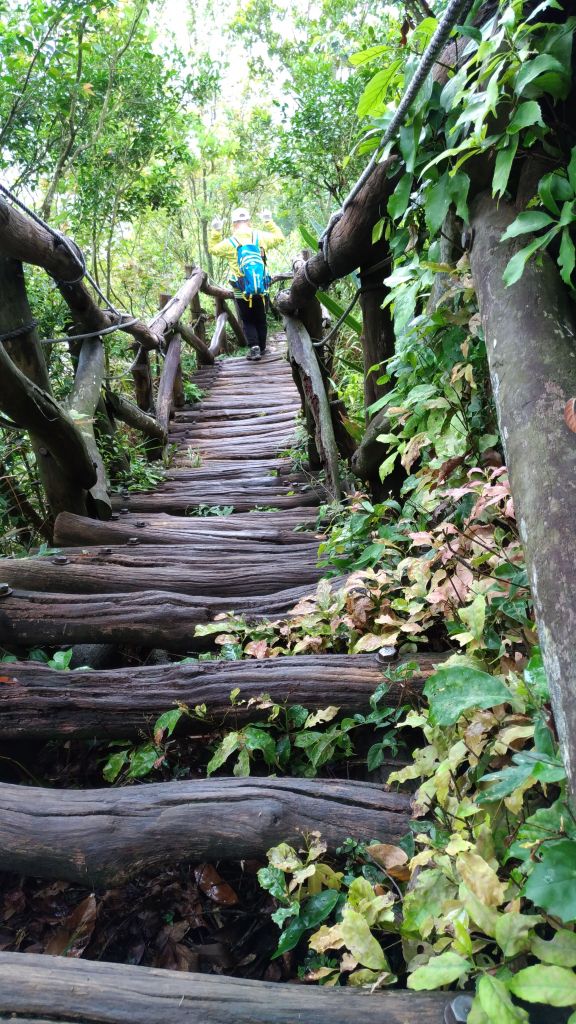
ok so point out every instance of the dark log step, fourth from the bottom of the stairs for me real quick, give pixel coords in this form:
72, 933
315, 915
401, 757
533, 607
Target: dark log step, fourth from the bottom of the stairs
149, 619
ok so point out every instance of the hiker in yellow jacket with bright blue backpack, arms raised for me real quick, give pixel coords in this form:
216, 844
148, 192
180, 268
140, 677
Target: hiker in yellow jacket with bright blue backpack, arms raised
251, 281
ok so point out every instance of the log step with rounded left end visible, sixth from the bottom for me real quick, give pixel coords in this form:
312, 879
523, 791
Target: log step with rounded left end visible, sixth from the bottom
74, 530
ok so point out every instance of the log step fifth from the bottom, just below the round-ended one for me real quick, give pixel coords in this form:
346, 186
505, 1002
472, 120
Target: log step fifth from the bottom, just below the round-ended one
103, 575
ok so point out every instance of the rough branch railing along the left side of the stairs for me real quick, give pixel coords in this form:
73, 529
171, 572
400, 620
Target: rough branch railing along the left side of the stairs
63, 434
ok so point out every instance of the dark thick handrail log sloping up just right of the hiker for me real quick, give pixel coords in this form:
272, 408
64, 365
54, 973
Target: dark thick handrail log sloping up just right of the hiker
350, 241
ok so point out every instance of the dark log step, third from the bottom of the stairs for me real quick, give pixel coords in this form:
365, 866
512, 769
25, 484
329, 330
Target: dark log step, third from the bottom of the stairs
43, 703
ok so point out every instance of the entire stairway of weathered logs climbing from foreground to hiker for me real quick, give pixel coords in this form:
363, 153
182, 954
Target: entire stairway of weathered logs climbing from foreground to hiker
145, 579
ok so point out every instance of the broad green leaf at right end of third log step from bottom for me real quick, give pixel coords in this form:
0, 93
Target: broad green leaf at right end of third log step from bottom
455, 690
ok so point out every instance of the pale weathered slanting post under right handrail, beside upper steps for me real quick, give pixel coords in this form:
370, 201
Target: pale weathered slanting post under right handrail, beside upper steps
303, 355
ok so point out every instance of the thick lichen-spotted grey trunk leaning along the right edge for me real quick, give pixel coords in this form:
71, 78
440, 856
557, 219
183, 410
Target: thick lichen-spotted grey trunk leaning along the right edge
530, 330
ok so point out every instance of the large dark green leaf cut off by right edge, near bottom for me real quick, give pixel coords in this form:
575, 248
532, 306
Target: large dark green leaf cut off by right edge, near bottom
553, 883
